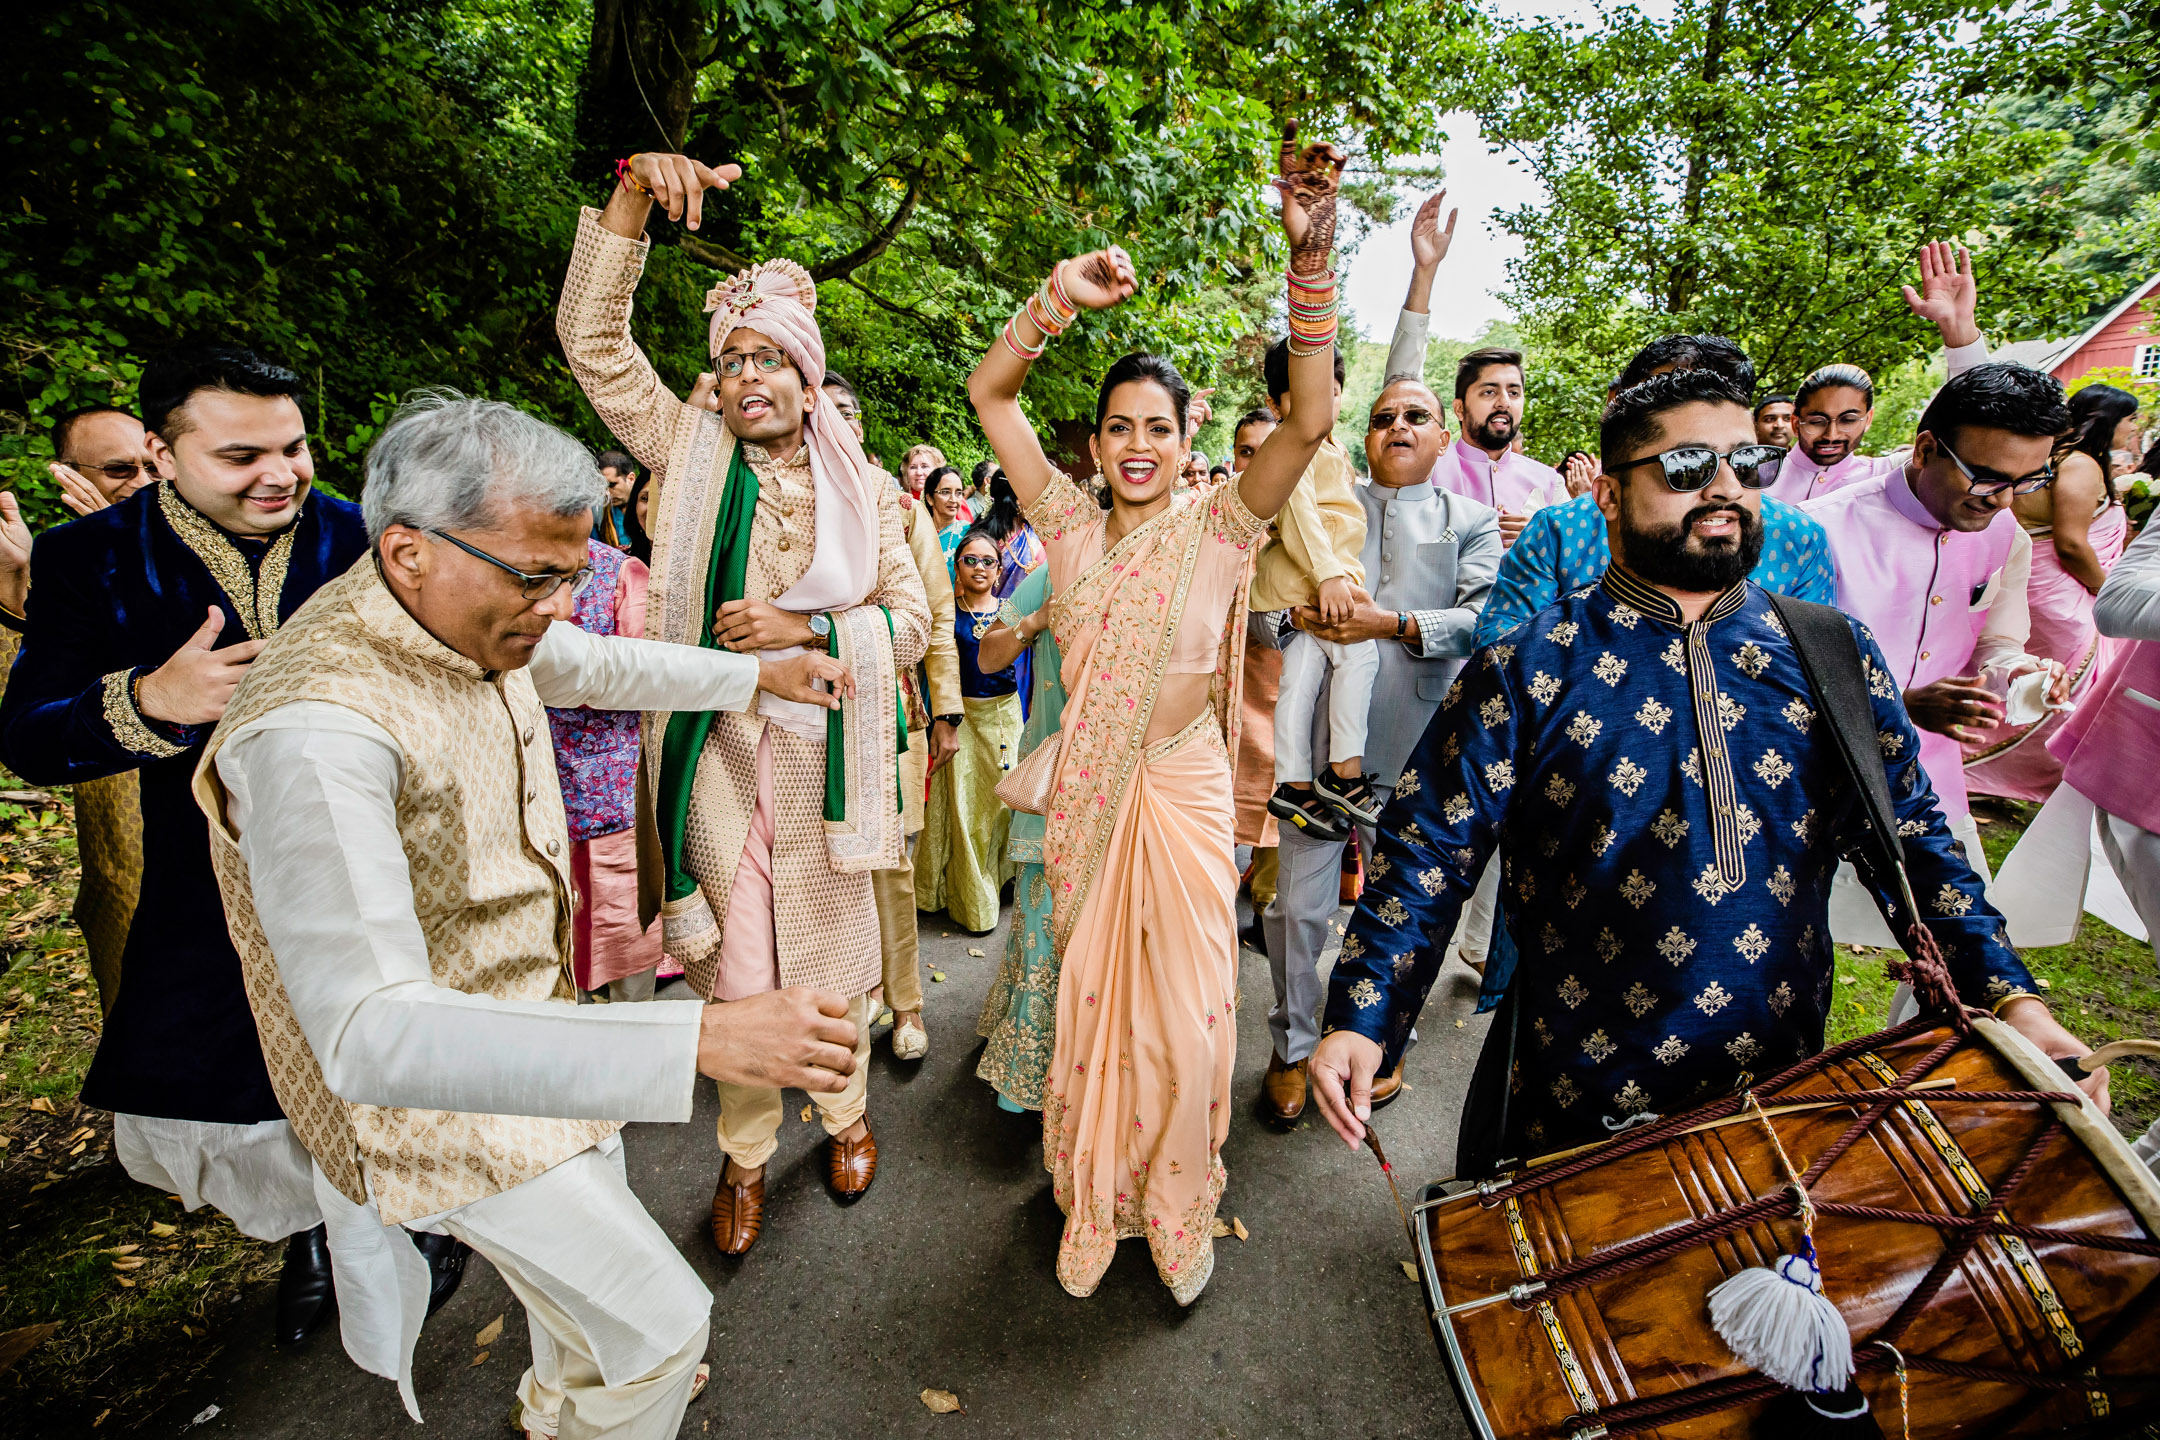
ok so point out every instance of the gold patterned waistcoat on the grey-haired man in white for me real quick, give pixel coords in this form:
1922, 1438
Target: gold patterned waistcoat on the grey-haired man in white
487, 845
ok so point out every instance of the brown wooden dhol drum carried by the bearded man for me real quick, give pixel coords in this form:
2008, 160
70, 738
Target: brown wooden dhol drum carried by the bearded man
1984, 1242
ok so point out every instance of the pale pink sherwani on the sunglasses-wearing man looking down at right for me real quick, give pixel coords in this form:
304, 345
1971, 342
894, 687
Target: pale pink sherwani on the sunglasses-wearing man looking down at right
1941, 603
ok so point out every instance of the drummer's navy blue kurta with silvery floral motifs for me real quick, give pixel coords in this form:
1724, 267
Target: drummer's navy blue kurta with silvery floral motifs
1664, 800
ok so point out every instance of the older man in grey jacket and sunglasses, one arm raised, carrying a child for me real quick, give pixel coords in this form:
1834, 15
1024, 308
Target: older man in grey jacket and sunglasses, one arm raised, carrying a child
1429, 562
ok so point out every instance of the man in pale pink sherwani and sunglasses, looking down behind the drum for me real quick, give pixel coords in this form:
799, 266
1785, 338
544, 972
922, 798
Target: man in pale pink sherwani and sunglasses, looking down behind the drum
1932, 560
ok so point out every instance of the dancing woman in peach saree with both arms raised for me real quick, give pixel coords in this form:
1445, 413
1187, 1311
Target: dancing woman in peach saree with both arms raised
1137, 847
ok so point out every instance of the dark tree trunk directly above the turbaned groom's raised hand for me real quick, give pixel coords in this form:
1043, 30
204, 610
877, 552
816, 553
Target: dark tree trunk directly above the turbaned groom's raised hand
640, 79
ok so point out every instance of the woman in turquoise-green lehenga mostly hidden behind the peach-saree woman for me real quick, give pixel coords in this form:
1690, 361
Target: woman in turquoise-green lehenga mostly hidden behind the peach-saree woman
1021, 1018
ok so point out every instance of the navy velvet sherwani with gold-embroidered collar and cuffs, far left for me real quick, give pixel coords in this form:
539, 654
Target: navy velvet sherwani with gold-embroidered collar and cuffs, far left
111, 599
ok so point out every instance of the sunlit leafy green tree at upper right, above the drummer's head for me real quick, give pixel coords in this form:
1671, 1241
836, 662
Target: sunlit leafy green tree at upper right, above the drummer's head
1764, 169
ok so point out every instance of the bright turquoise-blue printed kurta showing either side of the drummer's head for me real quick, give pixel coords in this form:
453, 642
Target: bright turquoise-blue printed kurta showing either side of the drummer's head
1565, 547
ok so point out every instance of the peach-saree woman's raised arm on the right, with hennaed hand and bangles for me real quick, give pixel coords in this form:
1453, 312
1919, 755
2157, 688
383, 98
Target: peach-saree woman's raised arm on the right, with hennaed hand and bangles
1308, 185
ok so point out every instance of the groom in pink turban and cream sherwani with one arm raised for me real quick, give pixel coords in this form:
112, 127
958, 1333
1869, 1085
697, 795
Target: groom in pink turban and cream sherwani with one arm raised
770, 534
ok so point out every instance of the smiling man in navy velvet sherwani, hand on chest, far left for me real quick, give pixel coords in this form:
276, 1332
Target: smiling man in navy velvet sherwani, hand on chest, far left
141, 621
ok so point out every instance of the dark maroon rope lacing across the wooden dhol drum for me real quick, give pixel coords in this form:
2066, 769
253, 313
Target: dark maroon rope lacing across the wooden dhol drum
1930, 979
